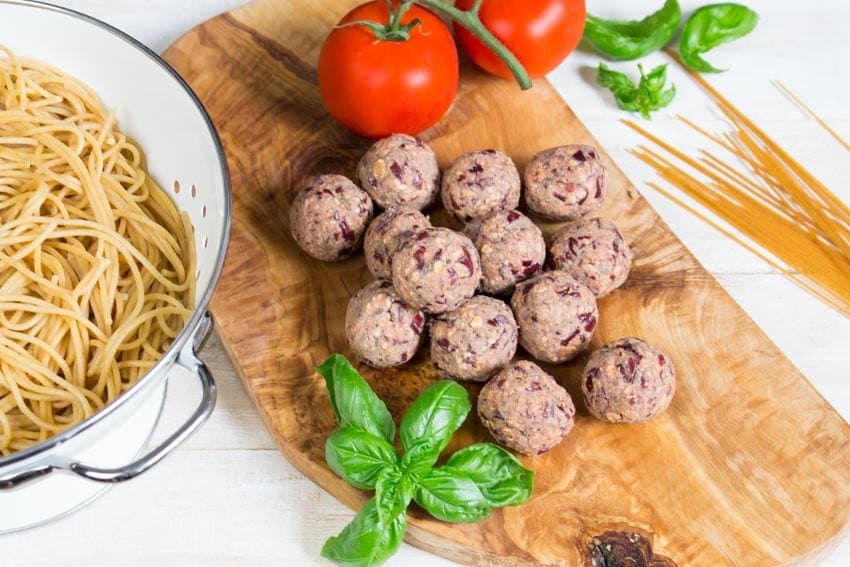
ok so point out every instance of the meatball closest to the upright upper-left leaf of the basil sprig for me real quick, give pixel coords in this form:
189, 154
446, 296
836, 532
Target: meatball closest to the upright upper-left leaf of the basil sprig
381, 330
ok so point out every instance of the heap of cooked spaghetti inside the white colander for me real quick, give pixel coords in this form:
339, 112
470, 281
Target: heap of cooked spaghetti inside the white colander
96, 263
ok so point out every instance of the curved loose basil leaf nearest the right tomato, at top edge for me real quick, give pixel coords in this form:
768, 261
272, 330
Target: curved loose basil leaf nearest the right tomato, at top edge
627, 40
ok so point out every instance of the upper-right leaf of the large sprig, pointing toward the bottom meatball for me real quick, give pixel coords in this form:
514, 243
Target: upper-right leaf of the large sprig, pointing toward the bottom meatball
435, 415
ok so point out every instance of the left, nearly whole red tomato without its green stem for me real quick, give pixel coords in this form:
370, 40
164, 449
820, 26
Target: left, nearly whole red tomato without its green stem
377, 88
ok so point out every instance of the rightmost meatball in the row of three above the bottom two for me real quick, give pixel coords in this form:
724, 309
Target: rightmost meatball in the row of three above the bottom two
556, 315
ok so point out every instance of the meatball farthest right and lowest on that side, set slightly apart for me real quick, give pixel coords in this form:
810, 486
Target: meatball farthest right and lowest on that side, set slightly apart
628, 381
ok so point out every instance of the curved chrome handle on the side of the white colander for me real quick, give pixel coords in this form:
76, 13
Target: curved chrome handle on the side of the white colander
189, 360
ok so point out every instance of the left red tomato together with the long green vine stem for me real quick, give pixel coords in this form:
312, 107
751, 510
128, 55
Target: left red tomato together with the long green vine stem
391, 66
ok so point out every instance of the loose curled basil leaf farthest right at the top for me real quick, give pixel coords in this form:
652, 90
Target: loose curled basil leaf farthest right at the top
711, 26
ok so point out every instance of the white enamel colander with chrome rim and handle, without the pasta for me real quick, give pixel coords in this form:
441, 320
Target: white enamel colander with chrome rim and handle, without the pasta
159, 111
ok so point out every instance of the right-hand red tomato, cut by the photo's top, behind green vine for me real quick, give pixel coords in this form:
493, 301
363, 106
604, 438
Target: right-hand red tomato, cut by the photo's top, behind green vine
541, 33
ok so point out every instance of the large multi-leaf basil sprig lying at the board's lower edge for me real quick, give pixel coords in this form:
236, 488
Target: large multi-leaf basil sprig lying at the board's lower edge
473, 482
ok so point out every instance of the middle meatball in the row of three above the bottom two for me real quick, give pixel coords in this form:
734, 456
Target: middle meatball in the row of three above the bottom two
474, 340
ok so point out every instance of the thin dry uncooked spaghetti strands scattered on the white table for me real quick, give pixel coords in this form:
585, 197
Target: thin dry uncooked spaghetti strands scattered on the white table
778, 210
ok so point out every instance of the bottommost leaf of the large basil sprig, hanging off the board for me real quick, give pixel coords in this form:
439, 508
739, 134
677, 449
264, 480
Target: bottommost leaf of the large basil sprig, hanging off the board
367, 540
